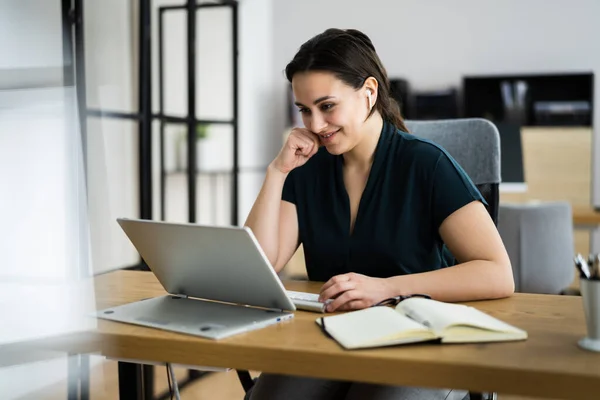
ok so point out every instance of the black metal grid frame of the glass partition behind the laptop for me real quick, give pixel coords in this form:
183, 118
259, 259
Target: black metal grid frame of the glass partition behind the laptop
144, 116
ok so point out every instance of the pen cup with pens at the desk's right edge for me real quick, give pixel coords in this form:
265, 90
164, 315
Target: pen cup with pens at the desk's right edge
590, 293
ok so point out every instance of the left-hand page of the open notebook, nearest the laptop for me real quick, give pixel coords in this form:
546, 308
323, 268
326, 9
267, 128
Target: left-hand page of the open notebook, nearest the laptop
371, 325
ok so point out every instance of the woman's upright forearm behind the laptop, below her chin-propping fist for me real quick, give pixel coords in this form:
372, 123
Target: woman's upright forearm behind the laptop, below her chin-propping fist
264, 216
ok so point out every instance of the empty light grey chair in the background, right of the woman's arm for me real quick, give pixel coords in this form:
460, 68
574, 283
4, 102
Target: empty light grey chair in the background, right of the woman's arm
540, 243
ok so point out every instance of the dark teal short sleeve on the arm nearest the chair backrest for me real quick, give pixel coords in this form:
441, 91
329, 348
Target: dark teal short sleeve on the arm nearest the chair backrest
452, 189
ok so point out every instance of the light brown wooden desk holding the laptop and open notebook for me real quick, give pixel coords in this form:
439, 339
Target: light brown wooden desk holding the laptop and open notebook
548, 364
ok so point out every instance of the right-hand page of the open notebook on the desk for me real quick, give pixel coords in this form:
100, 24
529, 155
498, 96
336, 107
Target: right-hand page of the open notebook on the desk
441, 315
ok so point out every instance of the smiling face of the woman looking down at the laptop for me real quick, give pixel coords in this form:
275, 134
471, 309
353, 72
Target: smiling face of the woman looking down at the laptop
331, 109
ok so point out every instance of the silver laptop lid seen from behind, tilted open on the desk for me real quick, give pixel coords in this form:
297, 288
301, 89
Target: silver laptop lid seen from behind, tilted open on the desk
209, 262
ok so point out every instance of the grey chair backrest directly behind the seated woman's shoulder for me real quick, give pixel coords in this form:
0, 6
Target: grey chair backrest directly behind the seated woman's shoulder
475, 145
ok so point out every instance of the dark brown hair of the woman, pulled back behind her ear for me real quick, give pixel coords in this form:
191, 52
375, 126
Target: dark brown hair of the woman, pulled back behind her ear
350, 55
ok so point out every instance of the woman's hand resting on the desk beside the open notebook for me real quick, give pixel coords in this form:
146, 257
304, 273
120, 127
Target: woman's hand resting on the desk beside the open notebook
354, 291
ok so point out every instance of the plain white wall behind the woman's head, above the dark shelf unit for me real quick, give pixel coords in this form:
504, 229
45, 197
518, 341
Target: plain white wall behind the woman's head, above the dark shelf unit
433, 43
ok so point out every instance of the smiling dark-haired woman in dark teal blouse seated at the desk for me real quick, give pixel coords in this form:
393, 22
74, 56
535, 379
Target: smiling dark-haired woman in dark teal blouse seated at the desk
372, 205
